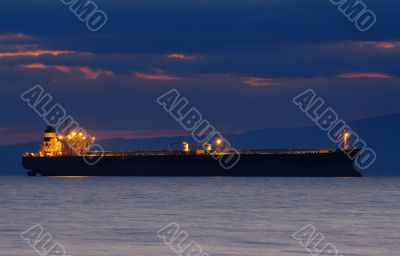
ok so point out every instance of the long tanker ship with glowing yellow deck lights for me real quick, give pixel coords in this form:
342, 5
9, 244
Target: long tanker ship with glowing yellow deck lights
70, 155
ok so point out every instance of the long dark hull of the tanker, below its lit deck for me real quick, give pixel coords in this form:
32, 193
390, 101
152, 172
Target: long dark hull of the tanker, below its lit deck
333, 164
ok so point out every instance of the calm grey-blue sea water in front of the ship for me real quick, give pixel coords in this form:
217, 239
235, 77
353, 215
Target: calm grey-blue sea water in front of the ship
226, 216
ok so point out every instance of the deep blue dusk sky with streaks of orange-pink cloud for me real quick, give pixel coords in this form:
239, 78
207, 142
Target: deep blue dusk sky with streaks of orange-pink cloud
239, 62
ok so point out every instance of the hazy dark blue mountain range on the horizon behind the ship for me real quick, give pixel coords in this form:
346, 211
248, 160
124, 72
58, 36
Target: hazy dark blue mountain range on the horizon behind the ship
381, 134
